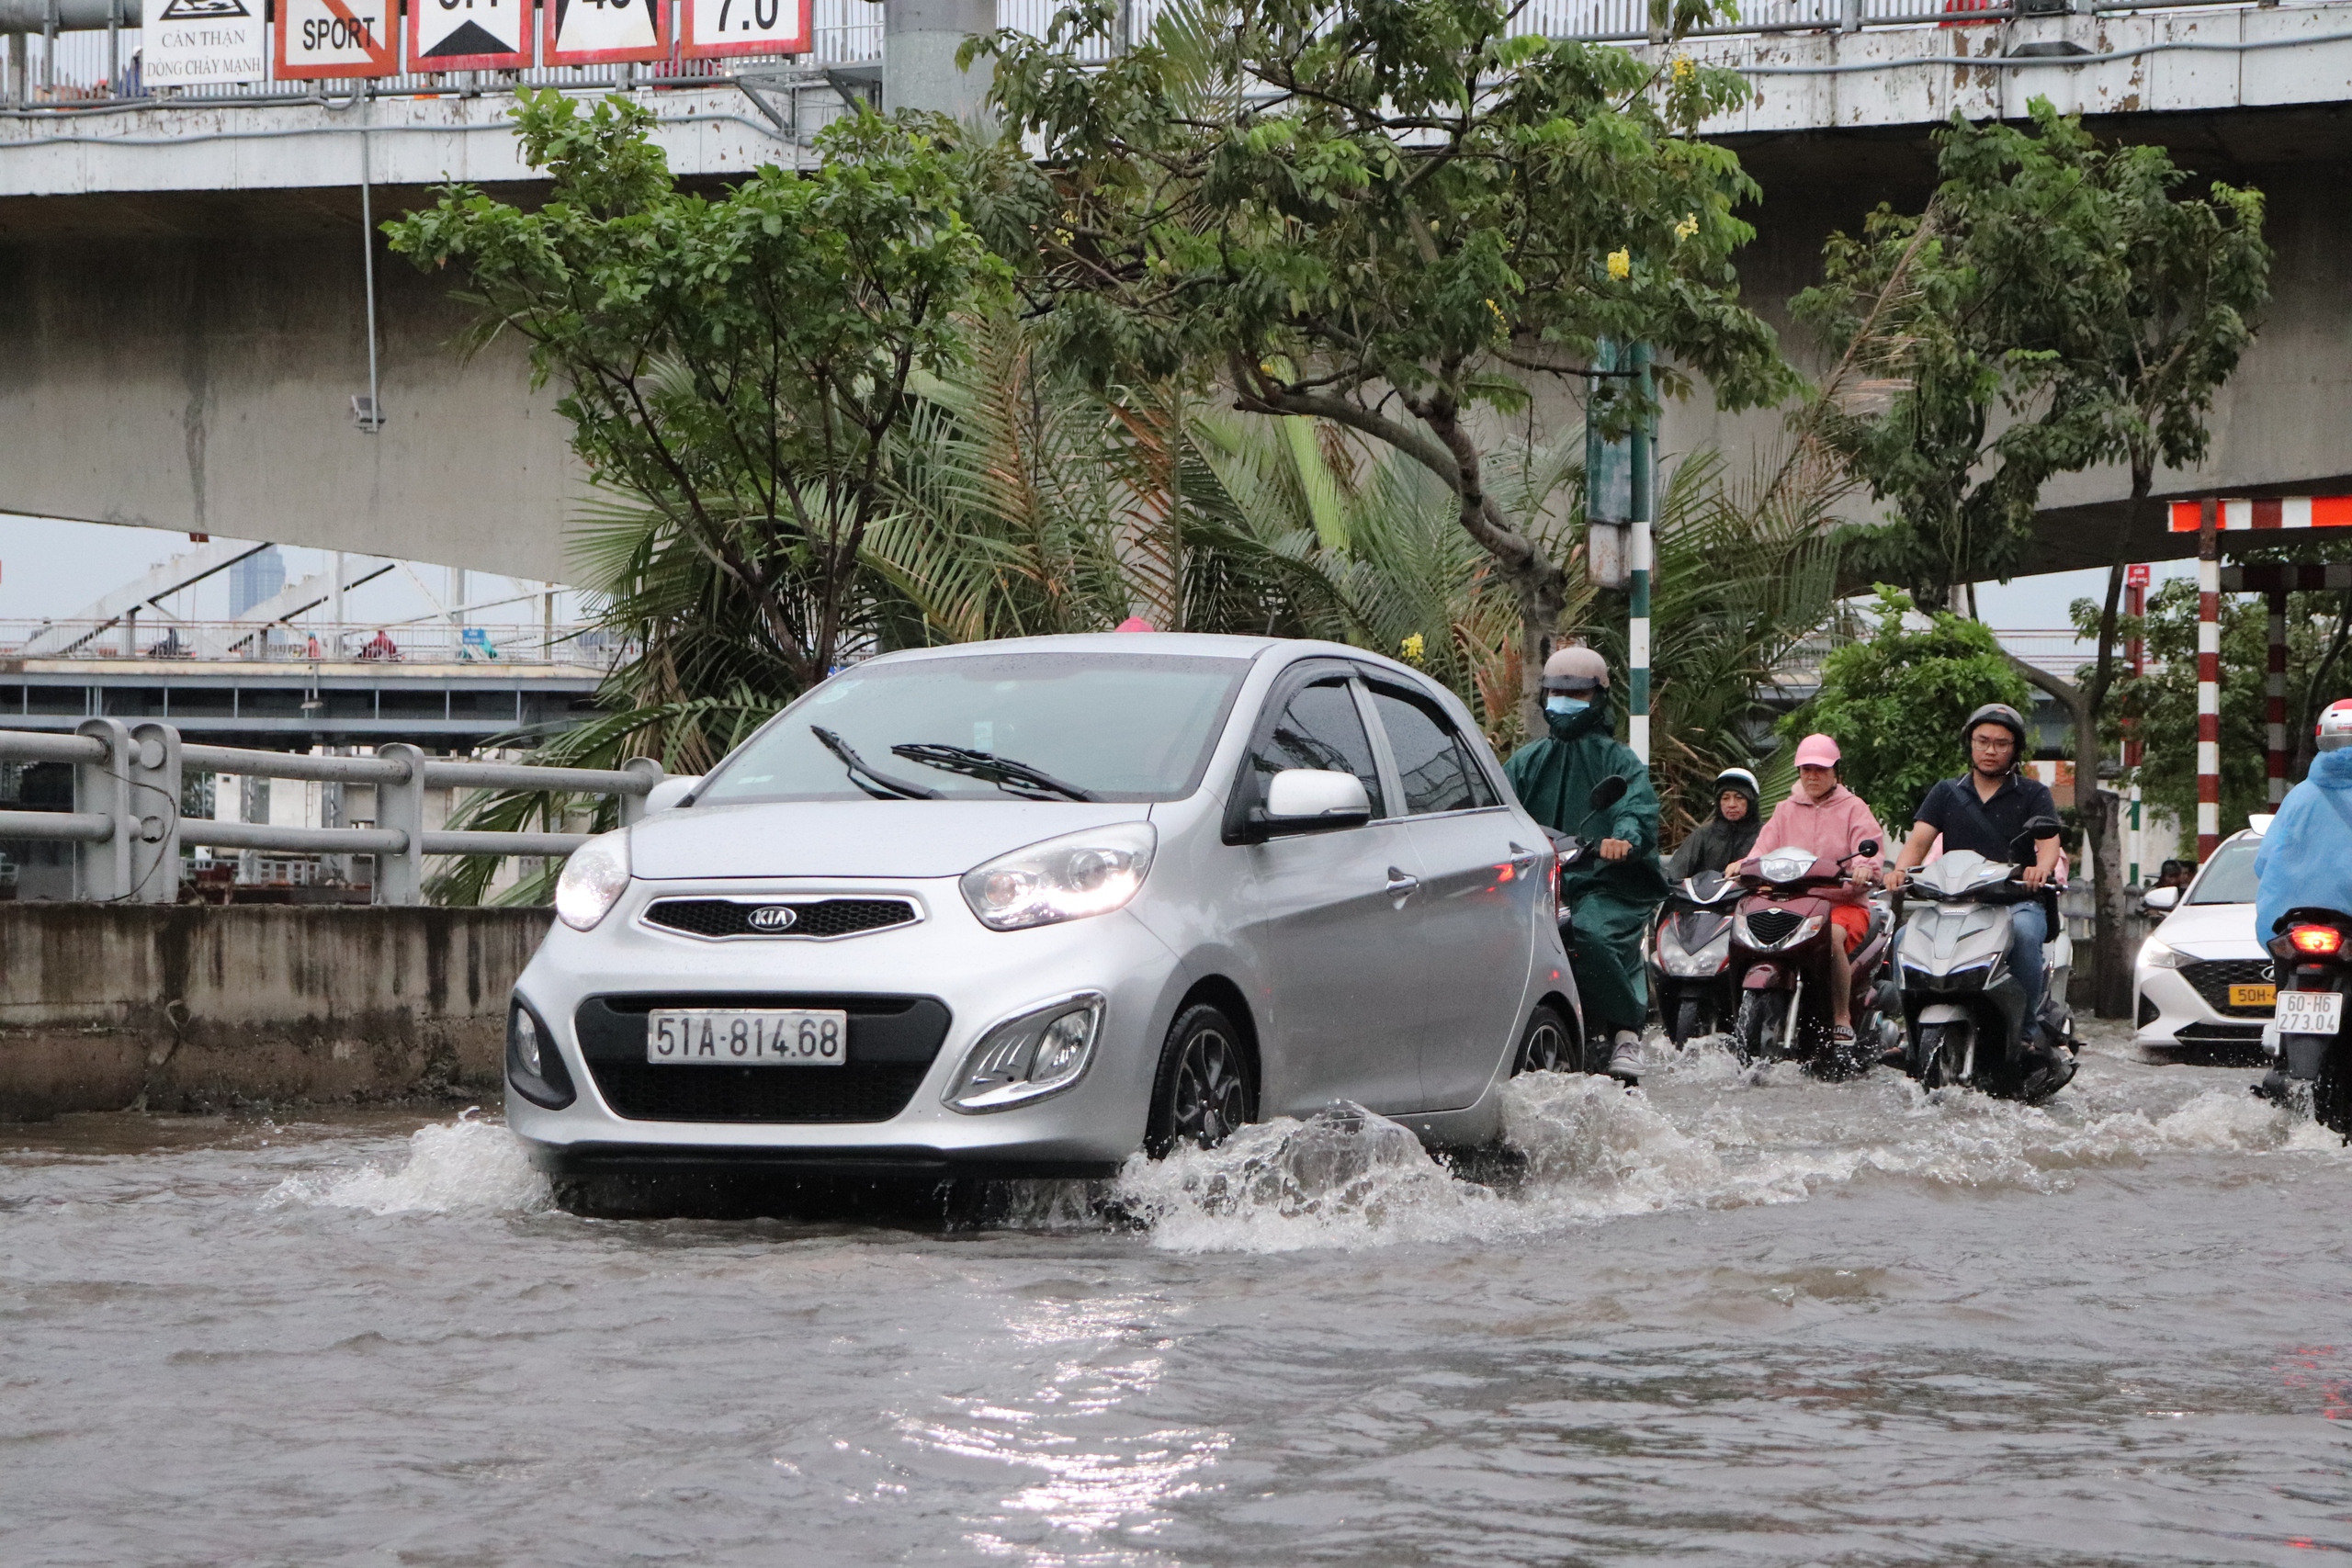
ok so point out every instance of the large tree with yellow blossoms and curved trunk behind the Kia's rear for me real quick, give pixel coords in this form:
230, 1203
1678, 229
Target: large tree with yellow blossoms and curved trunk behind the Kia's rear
1389, 215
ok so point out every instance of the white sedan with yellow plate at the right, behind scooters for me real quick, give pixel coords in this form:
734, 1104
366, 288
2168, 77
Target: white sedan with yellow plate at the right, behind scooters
2203, 986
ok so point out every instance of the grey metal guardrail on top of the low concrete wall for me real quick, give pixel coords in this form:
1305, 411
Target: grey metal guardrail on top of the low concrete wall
131, 831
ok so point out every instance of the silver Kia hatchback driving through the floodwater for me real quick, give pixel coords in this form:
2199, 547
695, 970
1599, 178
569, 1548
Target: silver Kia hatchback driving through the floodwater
1027, 909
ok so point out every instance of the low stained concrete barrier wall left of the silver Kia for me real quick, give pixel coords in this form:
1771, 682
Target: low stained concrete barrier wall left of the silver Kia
194, 1007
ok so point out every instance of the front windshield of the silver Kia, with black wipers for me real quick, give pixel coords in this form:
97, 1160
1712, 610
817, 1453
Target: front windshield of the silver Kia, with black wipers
994, 728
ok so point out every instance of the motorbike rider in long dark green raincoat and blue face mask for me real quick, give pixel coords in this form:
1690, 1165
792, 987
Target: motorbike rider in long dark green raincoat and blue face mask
1612, 892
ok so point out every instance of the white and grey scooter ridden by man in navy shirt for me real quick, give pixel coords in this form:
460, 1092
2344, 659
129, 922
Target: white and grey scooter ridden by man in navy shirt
1963, 1005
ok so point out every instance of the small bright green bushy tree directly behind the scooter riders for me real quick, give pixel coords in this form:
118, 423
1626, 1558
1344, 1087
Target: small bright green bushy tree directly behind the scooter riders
1895, 704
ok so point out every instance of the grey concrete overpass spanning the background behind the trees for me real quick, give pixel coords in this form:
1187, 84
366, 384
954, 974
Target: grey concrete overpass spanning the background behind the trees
185, 286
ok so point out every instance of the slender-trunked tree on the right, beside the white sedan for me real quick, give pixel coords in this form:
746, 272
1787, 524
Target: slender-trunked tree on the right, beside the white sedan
2071, 288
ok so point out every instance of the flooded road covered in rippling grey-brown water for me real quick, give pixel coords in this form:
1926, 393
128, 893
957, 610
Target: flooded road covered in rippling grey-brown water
1723, 1320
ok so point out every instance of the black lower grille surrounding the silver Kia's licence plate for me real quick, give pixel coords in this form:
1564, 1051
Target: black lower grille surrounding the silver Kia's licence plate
893, 1043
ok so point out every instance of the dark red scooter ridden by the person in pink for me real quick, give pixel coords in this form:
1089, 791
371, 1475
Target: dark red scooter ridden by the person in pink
1782, 951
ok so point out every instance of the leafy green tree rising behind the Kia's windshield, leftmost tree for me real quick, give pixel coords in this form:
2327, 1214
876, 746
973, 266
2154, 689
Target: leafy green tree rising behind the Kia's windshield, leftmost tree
733, 366
